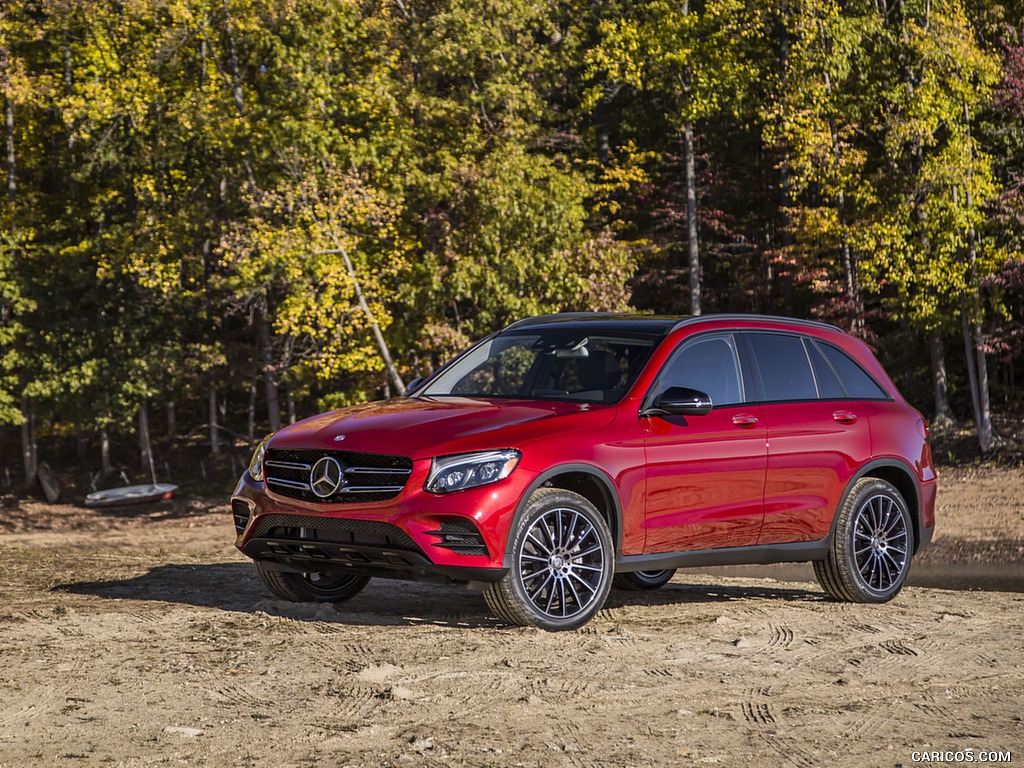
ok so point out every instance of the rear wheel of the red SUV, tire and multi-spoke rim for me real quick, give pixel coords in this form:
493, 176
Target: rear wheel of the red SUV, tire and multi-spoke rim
873, 546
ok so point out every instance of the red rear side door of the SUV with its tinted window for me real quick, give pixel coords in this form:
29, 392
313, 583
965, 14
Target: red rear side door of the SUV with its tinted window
818, 436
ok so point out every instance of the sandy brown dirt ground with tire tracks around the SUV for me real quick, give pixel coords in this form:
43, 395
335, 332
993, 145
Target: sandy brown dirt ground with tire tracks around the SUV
143, 638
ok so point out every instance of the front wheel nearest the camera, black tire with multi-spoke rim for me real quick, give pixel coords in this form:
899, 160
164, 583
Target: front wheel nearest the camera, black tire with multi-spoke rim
563, 564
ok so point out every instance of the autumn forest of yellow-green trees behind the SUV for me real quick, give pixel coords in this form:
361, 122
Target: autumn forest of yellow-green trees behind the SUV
223, 216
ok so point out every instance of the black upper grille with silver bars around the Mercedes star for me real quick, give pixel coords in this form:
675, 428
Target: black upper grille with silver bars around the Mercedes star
368, 478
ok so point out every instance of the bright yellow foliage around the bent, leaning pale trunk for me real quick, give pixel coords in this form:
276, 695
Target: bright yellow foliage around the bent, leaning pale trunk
286, 258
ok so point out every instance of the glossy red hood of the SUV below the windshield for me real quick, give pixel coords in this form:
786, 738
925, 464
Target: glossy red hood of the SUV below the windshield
423, 428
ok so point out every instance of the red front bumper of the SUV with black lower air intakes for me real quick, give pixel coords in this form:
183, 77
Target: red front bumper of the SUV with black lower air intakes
459, 537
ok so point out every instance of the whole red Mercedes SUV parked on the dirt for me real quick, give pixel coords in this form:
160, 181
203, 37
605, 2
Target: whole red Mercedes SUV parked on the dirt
572, 453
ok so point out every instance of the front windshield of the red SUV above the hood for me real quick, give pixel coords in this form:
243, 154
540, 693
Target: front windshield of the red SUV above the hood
560, 365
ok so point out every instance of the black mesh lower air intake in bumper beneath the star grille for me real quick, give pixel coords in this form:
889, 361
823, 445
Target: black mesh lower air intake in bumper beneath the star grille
333, 531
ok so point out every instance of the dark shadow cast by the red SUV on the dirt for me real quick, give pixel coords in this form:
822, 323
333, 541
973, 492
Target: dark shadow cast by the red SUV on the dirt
235, 587
